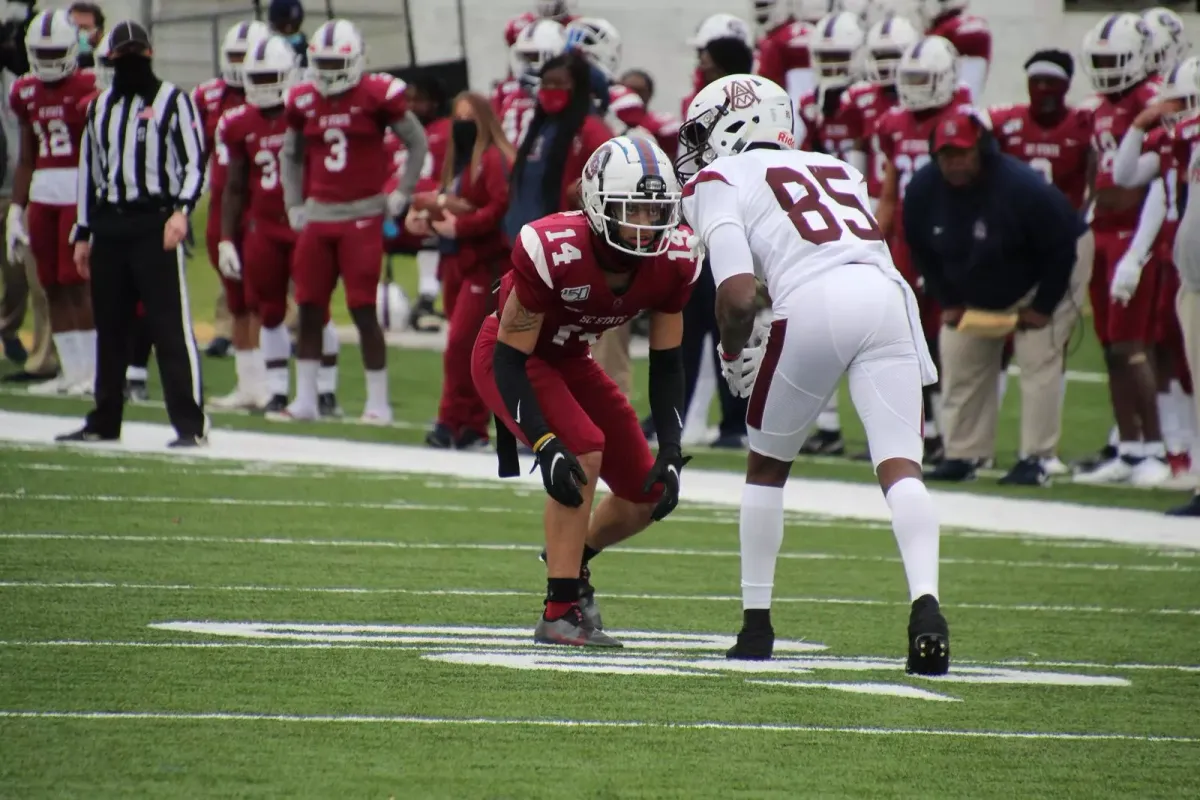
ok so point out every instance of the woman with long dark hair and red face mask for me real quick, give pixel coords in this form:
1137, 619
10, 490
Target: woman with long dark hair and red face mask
563, 135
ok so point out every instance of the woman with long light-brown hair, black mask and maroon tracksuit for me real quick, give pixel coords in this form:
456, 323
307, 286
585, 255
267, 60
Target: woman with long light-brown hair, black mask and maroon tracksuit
465, 214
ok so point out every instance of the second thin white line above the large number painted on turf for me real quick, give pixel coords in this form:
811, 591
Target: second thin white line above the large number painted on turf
367, 544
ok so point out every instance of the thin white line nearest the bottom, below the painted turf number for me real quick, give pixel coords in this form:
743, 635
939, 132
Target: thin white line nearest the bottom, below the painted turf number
226, 717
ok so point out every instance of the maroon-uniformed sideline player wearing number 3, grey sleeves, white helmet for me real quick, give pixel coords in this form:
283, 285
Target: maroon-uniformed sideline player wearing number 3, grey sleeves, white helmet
332, 171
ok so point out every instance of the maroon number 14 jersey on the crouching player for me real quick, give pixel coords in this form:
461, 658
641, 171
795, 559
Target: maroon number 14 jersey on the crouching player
556, 274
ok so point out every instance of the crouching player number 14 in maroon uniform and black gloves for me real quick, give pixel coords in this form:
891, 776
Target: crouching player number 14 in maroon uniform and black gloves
575, 276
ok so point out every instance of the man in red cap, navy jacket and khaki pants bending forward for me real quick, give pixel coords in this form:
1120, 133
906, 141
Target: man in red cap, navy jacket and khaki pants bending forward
997, 248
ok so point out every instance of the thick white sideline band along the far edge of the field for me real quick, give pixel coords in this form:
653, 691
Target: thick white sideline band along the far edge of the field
830, 498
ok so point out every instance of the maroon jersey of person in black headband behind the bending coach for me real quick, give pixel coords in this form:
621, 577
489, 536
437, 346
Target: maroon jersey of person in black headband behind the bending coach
1059, 153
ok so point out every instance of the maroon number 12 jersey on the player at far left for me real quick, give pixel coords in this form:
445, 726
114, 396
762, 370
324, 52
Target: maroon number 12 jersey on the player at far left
55, 112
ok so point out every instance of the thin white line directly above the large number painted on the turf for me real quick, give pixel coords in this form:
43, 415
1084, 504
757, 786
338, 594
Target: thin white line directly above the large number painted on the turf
518, 593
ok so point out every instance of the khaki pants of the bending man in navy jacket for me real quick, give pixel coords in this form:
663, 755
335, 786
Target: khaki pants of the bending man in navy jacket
970, 365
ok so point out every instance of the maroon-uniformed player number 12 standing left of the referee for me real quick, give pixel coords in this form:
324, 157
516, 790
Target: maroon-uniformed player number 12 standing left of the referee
47, 106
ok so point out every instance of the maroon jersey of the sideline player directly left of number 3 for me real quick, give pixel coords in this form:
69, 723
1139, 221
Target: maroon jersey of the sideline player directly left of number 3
257, 139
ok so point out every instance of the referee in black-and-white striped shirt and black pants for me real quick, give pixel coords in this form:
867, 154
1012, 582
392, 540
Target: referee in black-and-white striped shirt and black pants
141, 172
